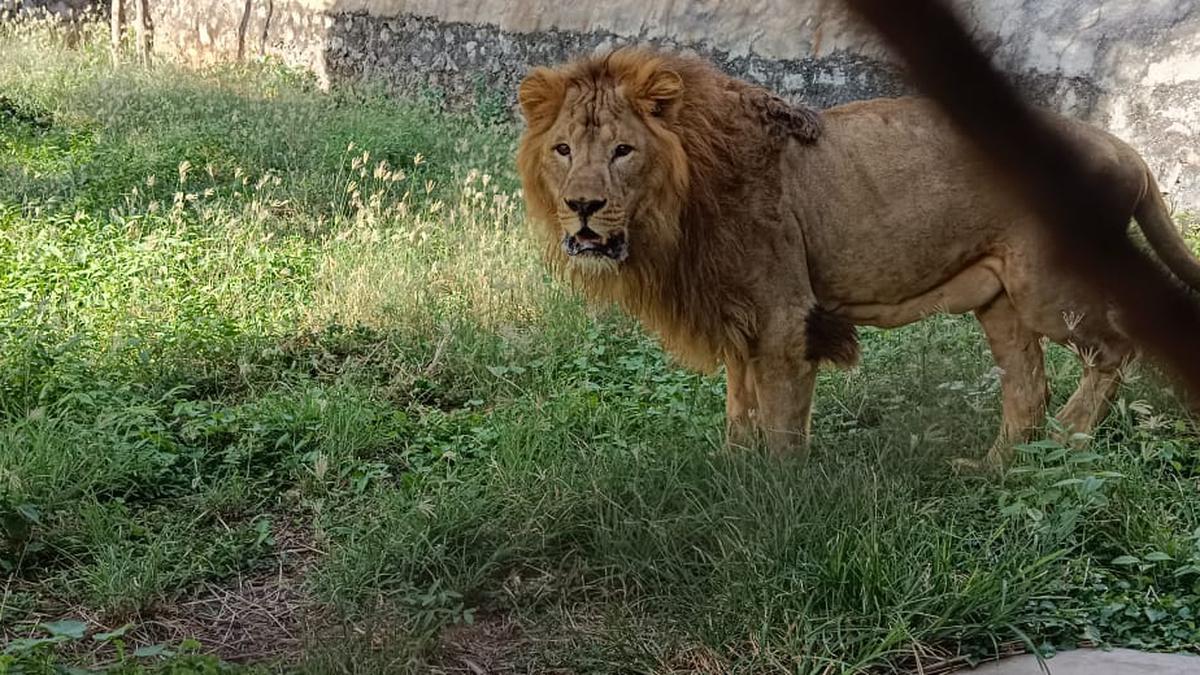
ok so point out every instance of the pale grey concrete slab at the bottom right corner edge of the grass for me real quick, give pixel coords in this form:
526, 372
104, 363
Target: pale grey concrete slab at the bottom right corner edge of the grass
1096, 662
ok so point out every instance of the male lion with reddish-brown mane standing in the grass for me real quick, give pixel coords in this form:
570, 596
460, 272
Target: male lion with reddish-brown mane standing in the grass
749, 232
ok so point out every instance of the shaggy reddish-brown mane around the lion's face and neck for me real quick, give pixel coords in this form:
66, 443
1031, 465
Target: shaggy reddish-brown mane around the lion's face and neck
688, 279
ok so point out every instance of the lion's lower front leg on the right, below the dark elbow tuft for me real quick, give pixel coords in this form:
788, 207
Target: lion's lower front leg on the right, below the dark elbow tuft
785, 386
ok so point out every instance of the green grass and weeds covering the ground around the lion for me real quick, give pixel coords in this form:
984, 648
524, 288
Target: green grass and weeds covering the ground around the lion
254, 332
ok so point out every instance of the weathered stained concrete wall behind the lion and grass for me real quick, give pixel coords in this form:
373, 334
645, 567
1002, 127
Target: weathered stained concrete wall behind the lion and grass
1132, 67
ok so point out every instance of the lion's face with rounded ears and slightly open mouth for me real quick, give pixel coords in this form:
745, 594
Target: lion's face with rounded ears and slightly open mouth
597, 163
